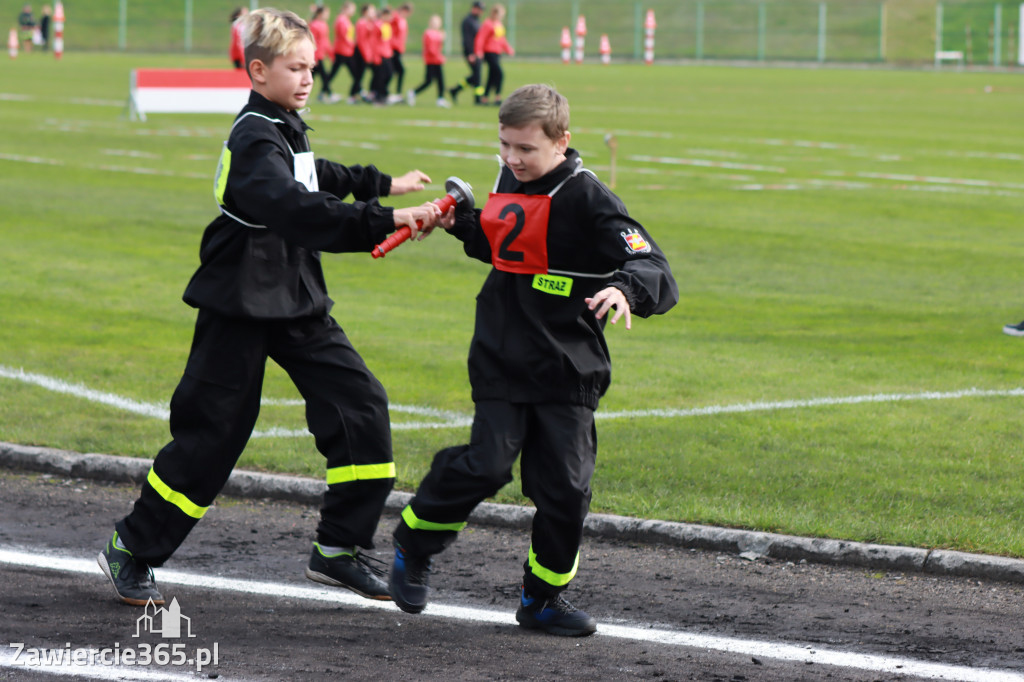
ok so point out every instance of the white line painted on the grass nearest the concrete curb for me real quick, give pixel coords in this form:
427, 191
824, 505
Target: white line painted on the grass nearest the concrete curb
449, 419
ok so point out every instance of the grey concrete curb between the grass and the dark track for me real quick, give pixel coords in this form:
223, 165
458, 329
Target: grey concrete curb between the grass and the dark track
749, 544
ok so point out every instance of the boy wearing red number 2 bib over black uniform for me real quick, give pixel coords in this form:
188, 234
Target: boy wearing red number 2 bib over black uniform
564, 253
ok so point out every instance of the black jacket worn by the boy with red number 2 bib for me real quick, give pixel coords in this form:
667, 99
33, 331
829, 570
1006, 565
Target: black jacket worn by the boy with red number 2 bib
532, 347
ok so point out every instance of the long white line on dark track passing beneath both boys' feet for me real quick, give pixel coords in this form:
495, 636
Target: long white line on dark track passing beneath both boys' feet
776, 651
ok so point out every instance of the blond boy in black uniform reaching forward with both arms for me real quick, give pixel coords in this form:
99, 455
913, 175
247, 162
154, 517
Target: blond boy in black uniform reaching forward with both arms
261, 293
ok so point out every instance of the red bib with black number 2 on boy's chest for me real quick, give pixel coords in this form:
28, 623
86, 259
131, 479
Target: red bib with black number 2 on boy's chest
517, 227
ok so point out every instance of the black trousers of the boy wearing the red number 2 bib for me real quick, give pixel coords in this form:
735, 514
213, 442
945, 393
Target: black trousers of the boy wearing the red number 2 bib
560, 449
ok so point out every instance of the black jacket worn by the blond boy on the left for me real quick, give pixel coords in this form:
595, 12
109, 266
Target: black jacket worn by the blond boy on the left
271, 268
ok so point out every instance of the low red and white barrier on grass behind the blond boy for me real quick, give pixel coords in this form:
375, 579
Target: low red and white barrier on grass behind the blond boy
188, 92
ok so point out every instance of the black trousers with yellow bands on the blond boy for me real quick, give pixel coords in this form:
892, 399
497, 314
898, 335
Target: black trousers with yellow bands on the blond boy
215, 410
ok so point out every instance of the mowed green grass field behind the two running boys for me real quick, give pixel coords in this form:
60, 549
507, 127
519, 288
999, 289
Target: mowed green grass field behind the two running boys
836, 235
